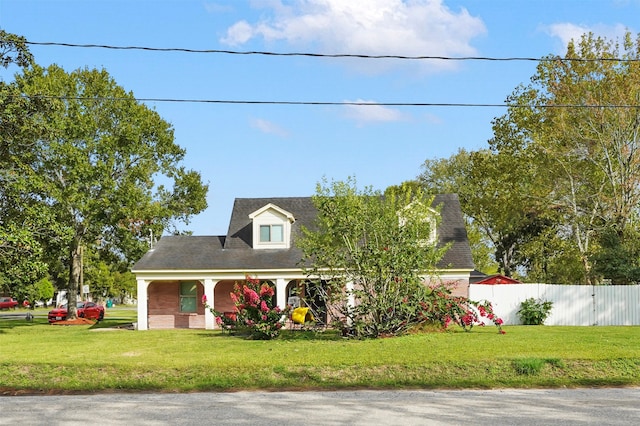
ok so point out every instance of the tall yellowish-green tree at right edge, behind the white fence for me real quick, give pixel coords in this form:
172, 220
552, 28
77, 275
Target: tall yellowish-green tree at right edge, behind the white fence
578, 123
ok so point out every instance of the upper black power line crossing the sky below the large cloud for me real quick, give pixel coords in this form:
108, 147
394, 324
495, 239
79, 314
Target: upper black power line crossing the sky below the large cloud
326, 55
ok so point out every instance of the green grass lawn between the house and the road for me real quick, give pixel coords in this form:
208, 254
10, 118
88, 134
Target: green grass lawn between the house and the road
41, 358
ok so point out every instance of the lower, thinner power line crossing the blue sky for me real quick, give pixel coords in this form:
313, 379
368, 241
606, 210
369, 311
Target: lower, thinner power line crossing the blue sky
332, 103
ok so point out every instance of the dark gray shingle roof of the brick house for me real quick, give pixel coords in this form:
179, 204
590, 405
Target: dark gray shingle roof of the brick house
234, 250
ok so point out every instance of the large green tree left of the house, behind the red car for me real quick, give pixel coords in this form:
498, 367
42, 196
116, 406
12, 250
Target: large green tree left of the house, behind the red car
107, 167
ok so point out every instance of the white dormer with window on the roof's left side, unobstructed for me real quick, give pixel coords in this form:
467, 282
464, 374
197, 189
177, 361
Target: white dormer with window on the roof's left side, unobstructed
271, 227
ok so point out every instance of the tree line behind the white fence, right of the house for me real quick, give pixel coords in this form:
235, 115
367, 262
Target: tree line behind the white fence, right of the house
555, 196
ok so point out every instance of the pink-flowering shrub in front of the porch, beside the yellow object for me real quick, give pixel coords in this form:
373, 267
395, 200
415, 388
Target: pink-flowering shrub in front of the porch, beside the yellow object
255, 310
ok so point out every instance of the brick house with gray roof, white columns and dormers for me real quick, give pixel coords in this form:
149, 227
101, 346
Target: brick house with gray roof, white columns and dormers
173, 276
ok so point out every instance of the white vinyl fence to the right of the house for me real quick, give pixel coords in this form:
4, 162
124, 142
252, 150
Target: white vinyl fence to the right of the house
572, 304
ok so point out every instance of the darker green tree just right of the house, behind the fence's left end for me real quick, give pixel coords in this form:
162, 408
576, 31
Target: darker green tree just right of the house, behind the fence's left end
498, 200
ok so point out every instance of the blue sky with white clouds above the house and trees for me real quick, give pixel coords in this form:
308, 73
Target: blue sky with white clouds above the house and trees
279, 150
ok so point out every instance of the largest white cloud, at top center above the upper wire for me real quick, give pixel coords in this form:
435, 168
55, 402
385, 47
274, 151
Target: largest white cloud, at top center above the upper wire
370, 27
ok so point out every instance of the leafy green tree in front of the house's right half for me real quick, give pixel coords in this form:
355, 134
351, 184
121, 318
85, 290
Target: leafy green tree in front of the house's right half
377, 247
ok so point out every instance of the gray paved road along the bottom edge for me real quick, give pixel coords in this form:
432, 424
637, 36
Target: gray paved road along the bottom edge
495, 407
